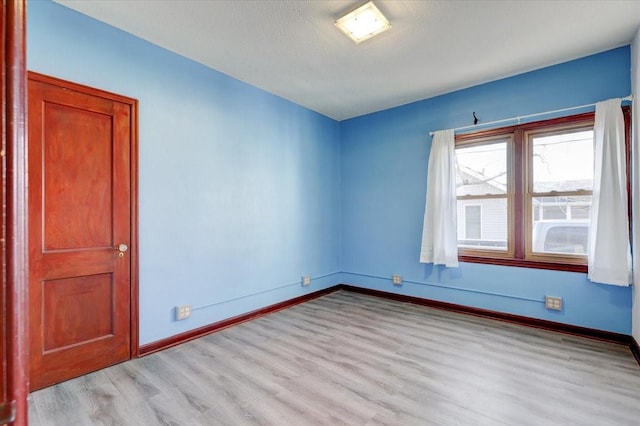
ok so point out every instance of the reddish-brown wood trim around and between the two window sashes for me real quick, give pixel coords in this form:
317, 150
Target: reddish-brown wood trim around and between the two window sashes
518, 225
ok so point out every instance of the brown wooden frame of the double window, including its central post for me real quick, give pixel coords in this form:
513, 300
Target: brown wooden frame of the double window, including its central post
519, 243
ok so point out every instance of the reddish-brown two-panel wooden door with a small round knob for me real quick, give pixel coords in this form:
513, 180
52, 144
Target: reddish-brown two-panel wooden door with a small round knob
80, 229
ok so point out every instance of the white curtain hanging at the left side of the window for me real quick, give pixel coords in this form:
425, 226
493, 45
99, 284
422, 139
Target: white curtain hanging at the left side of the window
439, 239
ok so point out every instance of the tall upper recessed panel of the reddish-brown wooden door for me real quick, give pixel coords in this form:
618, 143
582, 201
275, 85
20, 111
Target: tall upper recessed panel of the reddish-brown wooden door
78, 144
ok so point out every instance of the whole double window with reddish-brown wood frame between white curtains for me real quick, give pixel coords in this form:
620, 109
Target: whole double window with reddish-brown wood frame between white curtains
524, 193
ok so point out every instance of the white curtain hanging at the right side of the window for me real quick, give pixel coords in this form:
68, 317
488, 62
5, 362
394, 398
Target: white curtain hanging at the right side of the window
609, 249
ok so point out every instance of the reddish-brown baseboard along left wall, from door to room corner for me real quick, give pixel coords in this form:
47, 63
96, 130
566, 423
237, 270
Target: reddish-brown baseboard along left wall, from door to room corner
177, 339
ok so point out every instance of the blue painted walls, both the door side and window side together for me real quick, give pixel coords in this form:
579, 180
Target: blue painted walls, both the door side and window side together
242, 192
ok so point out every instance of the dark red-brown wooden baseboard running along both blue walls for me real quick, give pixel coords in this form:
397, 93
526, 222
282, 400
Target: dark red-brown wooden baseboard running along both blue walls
574, 330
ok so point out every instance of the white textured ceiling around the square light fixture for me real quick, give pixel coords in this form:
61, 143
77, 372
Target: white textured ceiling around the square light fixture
292, 48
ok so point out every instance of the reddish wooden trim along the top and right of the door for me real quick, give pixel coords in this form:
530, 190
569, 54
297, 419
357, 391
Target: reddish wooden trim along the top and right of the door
133, 155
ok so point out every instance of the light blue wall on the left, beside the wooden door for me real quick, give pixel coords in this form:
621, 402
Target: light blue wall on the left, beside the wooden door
239, 189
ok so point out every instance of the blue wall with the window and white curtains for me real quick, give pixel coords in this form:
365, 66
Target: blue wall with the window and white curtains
384, 167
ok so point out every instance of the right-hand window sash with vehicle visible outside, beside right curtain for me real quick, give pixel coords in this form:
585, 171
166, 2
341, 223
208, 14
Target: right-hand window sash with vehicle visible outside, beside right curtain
560, 181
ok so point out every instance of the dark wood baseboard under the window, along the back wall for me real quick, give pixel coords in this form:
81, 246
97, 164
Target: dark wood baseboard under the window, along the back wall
575, 330
